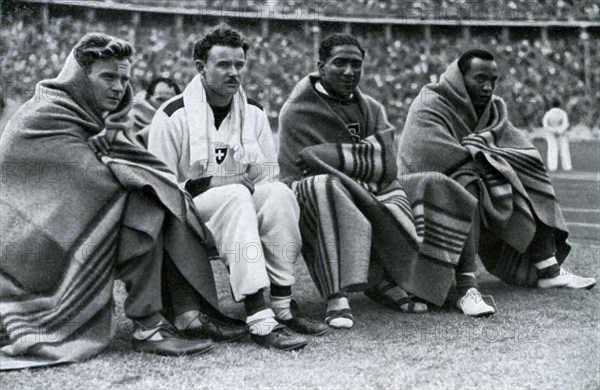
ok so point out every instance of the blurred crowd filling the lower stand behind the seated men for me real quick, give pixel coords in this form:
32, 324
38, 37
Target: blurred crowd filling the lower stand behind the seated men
395, 71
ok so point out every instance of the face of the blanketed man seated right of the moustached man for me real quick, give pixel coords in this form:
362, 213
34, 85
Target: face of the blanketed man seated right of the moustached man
341, 73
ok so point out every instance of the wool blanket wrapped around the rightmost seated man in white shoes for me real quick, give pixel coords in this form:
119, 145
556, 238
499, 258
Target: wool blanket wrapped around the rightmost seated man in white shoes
444, 134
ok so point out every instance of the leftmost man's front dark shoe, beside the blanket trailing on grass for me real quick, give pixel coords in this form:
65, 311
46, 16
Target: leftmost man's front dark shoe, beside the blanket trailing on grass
162, 339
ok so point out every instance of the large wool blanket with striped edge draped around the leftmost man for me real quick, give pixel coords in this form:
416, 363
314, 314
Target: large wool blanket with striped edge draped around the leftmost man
68, 220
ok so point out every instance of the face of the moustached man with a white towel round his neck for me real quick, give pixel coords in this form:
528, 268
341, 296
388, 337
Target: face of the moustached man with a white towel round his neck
222, 71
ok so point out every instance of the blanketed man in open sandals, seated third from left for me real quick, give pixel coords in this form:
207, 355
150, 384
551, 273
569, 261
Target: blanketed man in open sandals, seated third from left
358, 226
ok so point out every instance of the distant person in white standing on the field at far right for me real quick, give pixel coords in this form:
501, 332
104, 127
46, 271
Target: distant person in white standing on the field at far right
556, 123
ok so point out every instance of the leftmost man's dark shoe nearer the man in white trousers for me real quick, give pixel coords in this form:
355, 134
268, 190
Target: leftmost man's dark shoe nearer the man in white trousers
216, 329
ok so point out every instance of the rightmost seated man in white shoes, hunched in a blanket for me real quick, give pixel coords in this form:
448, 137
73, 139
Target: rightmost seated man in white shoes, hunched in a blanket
457, 127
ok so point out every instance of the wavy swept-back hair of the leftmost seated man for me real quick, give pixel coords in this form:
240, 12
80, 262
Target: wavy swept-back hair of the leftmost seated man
98, 46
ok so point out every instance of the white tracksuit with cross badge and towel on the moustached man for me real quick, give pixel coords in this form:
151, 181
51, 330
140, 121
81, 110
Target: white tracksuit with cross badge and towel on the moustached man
257, 234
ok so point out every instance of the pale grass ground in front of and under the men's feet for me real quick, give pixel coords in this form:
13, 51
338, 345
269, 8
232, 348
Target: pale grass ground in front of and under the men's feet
539, 339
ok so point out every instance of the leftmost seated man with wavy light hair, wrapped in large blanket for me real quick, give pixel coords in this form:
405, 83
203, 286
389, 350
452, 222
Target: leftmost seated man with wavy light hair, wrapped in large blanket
71, 223
